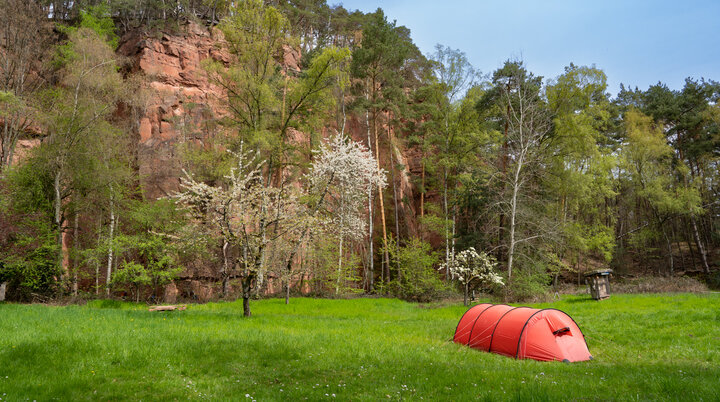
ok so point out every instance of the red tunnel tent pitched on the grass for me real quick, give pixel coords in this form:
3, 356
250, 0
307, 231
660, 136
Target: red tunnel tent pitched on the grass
522, 333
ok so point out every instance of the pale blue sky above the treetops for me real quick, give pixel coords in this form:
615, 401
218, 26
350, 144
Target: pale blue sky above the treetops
636, 42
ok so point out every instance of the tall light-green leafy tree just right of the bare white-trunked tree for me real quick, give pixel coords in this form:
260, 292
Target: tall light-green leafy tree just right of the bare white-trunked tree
580, 179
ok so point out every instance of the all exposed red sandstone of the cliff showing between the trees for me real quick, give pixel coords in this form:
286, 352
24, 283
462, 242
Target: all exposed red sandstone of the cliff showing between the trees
181, 98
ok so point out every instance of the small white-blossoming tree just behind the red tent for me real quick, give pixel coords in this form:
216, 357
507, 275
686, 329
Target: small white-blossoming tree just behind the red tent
472, 270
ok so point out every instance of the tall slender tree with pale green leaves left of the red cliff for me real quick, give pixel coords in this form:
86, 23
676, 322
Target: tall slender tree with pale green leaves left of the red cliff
77, 117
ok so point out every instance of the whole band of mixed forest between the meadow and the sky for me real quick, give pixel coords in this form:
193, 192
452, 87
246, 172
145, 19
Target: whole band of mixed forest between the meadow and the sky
334, 158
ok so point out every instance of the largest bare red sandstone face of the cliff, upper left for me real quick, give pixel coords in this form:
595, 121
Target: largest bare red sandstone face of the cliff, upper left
179, 98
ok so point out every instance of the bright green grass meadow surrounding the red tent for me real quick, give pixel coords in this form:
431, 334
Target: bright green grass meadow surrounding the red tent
646, 347
